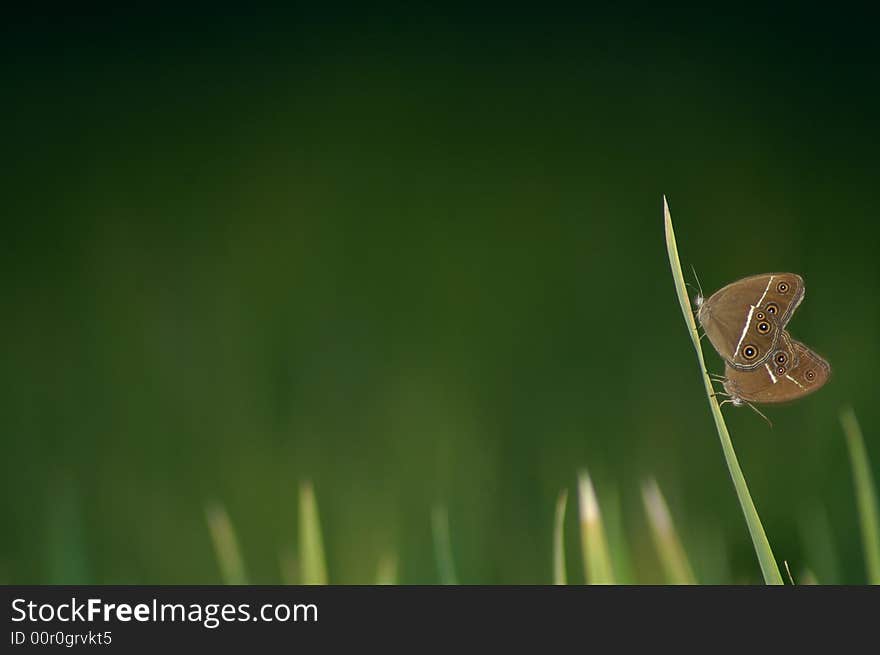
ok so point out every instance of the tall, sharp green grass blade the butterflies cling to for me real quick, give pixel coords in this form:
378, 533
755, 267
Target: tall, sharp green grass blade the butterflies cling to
769, 568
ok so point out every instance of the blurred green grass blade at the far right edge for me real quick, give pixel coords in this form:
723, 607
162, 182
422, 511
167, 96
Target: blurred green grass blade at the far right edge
866, 494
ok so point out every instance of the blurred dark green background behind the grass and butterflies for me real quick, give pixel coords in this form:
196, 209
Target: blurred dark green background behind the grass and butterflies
418, 258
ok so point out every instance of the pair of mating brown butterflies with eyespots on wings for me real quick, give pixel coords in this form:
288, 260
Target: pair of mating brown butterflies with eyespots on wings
745, 321
